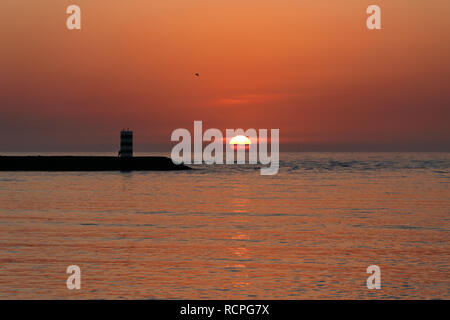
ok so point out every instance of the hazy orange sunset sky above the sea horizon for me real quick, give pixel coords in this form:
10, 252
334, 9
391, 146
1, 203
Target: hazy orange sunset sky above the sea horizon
310, 68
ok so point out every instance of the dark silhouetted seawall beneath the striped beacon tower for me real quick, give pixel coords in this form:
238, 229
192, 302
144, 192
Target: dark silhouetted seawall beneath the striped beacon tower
87, 163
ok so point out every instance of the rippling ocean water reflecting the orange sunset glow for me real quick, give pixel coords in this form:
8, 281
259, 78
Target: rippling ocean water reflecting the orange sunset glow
226, 232
